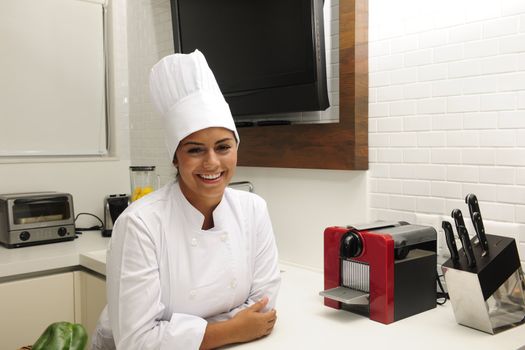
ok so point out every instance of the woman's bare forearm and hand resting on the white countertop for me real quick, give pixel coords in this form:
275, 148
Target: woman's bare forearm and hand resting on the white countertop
248, 324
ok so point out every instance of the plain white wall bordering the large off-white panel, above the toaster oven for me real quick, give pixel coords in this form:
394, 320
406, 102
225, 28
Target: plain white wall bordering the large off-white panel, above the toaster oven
88, 179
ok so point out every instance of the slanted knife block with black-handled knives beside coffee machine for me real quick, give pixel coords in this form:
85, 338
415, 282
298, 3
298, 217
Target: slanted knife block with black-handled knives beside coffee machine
484, 278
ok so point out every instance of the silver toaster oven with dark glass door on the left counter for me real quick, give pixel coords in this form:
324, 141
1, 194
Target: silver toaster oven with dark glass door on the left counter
36, 218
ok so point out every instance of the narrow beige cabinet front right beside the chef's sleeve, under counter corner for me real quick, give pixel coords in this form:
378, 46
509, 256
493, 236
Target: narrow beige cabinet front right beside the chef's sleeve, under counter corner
92, 300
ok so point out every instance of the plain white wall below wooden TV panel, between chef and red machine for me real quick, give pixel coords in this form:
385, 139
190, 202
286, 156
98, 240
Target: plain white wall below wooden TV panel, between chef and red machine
302, 203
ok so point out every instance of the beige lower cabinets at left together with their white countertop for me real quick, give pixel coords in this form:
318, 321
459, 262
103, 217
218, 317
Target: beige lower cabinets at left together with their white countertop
46, 283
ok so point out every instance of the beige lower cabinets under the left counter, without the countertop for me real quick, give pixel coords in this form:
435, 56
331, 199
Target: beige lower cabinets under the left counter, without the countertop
30, 305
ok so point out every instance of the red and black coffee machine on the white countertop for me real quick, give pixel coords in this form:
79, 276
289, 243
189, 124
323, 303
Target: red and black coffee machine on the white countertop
386, 271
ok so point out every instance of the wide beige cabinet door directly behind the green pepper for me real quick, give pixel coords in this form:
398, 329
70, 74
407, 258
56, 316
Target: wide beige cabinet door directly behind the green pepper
28, 306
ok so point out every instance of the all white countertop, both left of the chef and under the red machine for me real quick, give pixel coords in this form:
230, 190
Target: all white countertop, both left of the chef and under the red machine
303, 321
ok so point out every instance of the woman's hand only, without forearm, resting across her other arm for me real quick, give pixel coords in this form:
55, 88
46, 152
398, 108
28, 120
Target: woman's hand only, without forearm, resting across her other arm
252, 324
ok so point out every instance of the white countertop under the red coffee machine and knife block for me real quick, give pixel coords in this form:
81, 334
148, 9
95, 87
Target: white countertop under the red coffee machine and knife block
305, 323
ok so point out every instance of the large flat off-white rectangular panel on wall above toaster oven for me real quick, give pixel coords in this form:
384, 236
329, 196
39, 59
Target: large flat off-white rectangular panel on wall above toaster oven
43, 44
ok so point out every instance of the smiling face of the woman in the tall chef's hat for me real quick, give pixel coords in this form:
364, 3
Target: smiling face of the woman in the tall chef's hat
206, 161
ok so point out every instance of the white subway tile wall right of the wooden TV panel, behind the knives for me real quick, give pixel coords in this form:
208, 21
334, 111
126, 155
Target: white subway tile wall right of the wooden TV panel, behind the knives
447, 91
